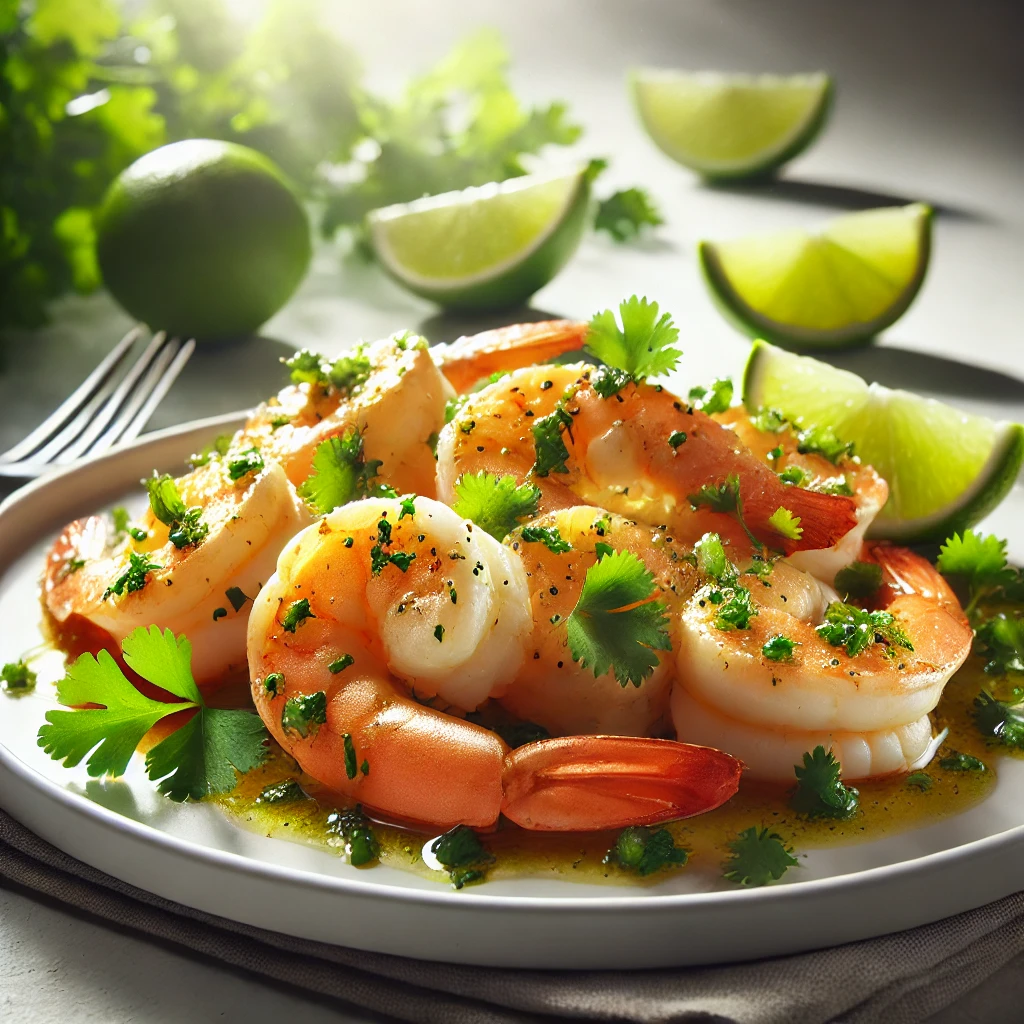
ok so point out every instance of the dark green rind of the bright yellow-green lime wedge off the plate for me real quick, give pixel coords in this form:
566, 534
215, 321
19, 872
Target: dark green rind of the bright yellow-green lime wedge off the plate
856, 333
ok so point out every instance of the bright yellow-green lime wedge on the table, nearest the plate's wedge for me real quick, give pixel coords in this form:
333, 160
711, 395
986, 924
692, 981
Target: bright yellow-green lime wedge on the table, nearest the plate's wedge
831, 289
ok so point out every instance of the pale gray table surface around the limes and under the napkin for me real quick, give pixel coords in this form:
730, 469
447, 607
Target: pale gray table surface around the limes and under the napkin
927, 110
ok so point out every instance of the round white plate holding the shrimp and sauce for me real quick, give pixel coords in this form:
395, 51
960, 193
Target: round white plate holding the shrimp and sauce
195, 856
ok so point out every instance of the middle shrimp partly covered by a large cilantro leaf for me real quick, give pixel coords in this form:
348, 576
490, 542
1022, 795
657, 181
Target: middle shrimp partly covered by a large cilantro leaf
551, 689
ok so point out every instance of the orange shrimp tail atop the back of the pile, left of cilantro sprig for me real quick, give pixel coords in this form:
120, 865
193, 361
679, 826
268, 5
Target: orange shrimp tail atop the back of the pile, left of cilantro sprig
472, 359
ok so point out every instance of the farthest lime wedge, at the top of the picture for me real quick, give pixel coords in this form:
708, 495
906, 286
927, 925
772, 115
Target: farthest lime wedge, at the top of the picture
732, 126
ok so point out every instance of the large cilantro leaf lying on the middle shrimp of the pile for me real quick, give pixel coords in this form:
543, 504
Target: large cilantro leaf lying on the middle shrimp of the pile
616, 625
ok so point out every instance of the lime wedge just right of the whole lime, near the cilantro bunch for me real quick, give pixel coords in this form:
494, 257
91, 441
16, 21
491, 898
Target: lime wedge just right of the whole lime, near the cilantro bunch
486, 247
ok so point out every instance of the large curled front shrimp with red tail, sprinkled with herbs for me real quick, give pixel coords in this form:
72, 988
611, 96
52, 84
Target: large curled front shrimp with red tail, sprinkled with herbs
389, 608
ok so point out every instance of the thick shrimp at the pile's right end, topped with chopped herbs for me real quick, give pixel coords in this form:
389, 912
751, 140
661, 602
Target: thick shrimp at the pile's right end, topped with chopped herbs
871, 709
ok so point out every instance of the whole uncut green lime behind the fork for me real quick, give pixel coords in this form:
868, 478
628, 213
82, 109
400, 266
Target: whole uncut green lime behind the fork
203, 239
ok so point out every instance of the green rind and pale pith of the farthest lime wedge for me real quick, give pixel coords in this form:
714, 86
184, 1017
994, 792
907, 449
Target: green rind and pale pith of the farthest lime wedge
765, 160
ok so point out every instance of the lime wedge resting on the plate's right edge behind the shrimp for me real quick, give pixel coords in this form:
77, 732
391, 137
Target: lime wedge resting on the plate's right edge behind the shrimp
947, 471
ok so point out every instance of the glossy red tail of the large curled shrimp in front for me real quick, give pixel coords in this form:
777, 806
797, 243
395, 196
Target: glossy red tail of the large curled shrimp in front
588, 784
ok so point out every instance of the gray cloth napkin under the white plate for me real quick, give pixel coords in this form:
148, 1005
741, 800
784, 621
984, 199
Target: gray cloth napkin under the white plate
901, 978
